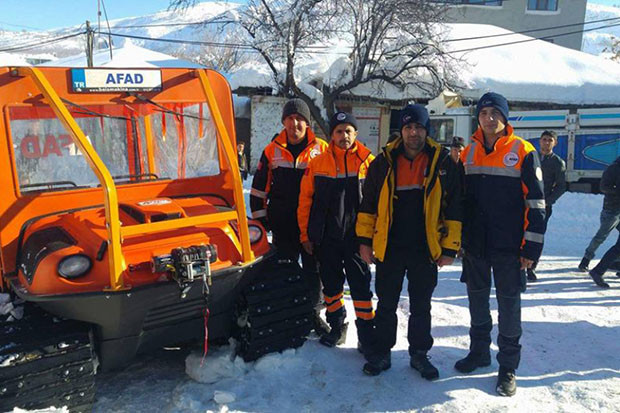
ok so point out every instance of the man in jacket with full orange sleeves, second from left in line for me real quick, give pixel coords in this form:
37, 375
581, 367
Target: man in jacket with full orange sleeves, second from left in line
328, 203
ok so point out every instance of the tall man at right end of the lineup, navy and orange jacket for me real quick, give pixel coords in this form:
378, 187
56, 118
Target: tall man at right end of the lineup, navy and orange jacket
503, 234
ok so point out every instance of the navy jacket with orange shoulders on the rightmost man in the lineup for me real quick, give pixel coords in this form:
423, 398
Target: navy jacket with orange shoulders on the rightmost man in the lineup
504, 198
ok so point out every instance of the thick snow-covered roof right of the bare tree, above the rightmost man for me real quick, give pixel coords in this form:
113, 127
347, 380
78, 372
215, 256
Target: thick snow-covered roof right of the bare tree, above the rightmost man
534, 71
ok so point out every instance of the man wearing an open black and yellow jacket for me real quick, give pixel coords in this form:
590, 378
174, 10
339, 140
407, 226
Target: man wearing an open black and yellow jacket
409, 222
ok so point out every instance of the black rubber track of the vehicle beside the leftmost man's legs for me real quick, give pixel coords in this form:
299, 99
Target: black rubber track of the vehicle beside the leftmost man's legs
274, 311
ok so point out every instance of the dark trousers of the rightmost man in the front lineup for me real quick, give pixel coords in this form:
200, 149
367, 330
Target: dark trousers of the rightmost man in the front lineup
508, 285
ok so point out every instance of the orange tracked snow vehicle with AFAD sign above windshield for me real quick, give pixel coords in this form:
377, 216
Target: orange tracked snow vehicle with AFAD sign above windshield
122, 215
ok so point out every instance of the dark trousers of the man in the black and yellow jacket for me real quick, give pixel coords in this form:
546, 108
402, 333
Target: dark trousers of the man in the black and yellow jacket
422, 275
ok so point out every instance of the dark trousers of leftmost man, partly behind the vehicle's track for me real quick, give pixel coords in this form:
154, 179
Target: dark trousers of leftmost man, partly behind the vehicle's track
289, 247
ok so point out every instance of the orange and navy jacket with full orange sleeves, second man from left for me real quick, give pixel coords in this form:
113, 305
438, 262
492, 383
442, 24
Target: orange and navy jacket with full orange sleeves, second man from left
331, 191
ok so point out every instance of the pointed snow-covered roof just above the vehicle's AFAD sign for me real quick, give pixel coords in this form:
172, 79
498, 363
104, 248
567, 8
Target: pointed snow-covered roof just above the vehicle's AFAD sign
130, 55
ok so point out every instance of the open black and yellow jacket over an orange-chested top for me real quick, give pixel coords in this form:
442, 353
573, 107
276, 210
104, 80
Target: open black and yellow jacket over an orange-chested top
442, 201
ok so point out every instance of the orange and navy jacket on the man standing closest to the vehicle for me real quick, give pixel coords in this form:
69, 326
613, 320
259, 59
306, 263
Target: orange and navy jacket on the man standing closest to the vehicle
275, 188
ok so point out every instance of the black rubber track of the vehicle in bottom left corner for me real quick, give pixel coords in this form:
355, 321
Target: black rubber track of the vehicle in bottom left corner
46, 362
